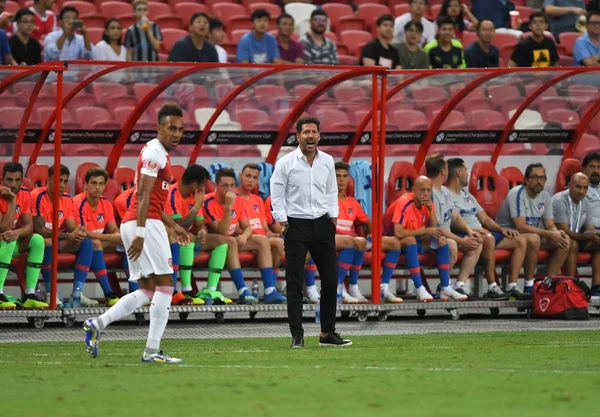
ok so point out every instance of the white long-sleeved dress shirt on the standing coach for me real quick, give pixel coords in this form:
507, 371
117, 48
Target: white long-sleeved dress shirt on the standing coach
301, 191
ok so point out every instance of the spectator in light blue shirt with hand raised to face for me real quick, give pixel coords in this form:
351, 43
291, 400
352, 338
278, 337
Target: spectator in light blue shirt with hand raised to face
65, 44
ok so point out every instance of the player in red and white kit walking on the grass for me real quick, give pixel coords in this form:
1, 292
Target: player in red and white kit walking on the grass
146, 241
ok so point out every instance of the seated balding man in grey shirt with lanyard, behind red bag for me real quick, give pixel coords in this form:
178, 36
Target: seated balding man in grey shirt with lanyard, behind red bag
572, 215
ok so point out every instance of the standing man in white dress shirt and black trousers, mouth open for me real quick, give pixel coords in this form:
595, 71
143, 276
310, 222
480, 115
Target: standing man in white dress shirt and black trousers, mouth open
304, 200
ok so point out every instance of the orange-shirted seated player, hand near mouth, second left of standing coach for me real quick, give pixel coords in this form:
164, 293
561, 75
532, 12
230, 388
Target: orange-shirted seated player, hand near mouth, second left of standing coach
224, 212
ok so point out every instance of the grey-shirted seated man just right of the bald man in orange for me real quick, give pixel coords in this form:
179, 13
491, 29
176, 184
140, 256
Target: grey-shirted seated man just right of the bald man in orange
467, 240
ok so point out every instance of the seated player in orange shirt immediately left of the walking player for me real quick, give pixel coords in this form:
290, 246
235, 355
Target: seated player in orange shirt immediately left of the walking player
96, 214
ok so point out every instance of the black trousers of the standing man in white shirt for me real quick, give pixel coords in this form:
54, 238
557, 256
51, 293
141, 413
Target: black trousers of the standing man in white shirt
317, 237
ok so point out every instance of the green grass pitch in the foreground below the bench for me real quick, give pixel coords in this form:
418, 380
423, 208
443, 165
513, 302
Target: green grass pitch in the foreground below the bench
529, 374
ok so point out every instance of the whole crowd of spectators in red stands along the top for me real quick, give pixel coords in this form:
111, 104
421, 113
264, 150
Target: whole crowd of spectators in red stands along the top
408, 41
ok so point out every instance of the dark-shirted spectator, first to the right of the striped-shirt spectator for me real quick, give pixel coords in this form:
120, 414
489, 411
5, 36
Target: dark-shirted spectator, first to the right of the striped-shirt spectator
195, 47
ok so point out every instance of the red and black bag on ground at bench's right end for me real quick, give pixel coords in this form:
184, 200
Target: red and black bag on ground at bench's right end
561, 298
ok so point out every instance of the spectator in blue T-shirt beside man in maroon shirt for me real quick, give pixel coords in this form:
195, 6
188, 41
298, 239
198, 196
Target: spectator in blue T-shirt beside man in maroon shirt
258, 46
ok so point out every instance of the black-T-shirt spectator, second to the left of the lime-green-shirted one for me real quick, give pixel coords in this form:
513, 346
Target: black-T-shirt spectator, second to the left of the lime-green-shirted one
379, 51
